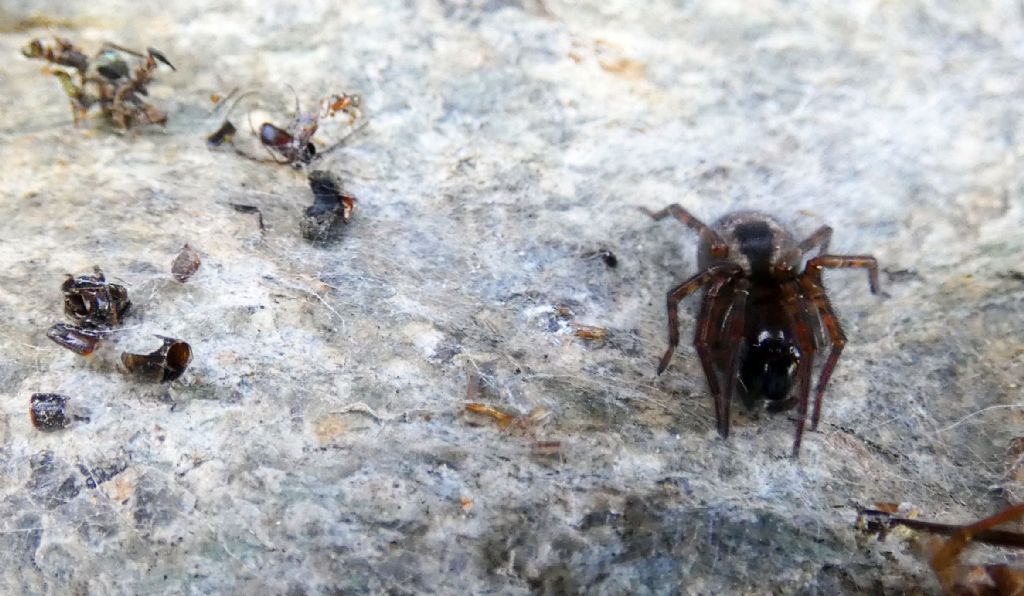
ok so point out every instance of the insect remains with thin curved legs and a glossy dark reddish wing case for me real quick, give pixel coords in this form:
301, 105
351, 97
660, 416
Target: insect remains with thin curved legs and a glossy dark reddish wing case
292, 144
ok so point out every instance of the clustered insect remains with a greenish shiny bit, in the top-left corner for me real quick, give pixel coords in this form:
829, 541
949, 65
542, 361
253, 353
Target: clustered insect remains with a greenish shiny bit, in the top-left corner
108, 80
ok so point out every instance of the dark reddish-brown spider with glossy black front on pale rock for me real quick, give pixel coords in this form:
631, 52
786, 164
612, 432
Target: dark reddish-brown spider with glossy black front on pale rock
761, 321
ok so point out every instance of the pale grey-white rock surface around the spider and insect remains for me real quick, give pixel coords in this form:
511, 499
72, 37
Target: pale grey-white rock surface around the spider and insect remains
319, 444
